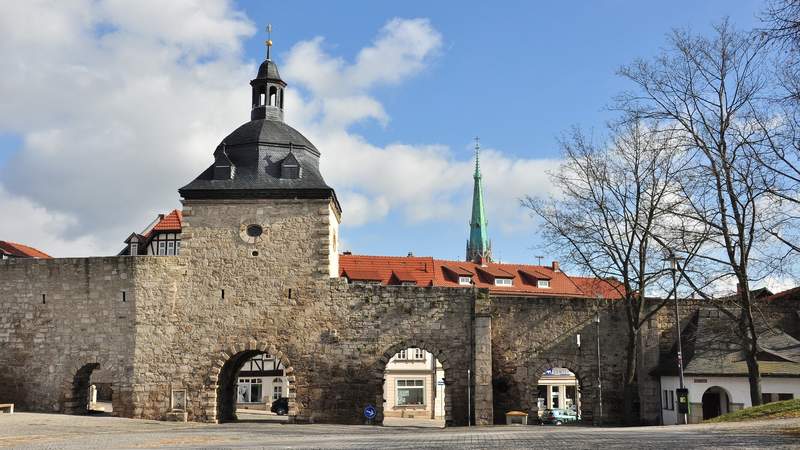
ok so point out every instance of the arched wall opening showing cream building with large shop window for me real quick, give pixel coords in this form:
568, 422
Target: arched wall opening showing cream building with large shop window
414, 391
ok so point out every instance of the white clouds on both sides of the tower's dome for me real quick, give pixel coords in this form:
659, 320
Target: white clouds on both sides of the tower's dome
118, 107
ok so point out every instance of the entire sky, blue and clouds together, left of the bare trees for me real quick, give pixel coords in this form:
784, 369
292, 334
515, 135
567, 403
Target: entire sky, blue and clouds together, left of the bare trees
516, 73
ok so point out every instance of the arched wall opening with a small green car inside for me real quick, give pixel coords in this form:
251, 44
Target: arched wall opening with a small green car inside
558, 397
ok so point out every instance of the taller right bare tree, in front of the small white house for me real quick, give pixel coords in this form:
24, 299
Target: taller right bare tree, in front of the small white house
710, 90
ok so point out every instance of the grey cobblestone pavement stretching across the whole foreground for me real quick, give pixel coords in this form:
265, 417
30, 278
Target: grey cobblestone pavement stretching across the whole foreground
45, 431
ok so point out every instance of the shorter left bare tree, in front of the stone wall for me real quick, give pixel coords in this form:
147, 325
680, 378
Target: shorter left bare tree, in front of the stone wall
611, 198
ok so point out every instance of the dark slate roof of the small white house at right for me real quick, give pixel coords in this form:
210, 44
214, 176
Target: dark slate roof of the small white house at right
711, 348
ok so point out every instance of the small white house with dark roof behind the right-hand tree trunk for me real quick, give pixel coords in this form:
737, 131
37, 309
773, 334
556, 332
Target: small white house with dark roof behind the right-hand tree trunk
715, 372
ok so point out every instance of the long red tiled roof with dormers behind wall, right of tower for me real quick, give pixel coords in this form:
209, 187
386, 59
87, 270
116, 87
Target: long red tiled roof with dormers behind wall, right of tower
427, 271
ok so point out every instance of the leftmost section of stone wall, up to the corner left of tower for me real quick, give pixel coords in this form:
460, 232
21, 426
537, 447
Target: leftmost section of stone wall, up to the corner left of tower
57, 316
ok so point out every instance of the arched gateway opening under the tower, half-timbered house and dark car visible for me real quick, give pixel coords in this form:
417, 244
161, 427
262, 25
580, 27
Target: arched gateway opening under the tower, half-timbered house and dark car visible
254, 386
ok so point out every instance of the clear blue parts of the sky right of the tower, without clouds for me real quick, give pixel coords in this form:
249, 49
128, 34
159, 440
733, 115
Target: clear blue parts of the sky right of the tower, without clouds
516, 73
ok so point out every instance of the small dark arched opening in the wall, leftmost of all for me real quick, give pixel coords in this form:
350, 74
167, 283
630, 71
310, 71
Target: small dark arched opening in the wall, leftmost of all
91, 391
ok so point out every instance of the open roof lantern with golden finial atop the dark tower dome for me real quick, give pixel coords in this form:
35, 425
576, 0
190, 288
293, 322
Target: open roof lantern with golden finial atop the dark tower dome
268, 88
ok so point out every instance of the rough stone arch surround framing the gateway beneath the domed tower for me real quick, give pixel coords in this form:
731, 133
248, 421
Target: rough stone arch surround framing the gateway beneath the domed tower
215, 407
